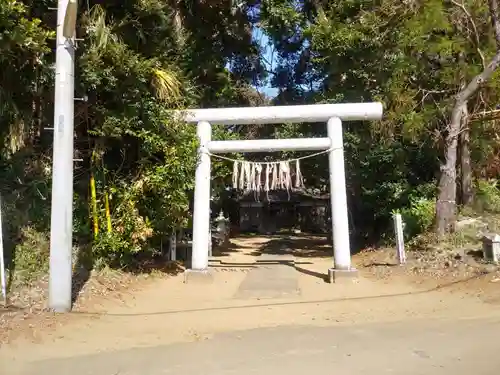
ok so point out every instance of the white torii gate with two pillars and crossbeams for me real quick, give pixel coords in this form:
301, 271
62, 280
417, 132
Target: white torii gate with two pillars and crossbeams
333, 114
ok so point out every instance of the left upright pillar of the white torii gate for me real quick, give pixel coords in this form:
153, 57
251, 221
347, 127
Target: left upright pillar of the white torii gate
201, 215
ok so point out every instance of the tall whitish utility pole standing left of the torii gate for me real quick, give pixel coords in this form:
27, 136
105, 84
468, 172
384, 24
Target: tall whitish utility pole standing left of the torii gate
61, 224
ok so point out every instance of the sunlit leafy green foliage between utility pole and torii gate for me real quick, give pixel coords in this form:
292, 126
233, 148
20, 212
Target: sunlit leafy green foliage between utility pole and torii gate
149, 188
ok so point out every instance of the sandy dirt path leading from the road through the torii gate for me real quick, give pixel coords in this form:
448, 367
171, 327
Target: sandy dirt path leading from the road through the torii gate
167, 310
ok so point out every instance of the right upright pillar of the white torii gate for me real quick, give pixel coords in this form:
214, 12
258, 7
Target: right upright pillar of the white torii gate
338, 197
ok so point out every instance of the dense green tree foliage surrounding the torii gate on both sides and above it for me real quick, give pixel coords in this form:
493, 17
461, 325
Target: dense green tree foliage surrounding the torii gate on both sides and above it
142, 58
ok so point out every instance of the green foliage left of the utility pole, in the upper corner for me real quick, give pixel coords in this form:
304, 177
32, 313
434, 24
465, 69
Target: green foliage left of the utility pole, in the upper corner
24, 42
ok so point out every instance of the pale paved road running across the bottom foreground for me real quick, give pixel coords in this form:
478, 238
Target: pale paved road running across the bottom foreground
410, 348
